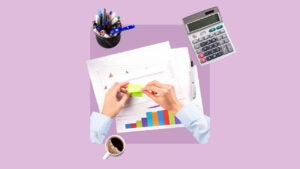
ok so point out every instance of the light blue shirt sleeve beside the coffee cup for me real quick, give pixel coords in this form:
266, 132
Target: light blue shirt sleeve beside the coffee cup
99, 126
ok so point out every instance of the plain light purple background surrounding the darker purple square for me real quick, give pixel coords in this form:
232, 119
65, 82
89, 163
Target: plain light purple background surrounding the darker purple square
45, 87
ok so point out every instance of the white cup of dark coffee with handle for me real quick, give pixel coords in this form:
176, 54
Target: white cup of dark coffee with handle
114, 146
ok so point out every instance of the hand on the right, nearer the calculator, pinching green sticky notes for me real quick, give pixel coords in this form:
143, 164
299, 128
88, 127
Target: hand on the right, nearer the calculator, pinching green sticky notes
164, 95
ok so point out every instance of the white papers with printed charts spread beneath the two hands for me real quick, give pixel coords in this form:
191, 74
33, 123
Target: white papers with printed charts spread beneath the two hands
140, 66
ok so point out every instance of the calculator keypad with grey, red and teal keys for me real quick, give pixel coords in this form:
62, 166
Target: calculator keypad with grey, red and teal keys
211, 44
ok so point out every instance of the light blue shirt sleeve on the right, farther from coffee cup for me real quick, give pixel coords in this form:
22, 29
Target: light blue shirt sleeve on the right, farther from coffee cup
196, 122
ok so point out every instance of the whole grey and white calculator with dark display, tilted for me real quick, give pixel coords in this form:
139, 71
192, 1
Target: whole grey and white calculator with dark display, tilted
208, 36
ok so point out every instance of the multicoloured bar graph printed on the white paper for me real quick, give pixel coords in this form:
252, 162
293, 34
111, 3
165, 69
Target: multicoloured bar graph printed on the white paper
159, 118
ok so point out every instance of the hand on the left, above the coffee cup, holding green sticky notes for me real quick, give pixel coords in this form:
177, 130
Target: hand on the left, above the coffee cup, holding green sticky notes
115, 99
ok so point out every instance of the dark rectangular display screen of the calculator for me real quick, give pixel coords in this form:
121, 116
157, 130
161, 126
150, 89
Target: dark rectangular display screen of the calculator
203, 22
